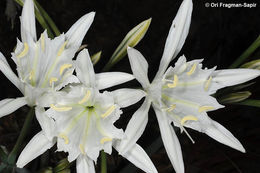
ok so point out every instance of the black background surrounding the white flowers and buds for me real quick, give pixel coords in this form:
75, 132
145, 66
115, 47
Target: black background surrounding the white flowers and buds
219, 35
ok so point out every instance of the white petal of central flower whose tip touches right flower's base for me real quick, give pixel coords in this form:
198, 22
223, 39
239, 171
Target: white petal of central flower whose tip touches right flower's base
126, 97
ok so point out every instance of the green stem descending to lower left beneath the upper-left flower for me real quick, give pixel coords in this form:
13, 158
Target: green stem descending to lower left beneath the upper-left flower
26, 126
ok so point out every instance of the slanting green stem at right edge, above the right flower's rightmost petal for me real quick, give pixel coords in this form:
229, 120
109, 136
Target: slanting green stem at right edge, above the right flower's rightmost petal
247, 53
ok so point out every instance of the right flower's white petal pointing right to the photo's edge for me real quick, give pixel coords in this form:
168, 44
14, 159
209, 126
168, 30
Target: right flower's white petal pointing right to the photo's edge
224, 78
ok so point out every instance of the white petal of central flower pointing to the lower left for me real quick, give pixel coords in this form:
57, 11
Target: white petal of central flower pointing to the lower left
37, 146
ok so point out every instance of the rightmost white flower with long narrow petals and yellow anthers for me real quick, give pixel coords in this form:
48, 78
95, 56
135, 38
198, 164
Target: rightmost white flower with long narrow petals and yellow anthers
181, 94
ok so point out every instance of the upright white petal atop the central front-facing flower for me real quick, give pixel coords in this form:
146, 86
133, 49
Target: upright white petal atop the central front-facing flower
84, 69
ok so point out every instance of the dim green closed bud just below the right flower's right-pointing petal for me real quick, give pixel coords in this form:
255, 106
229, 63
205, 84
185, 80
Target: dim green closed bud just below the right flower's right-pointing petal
235, 97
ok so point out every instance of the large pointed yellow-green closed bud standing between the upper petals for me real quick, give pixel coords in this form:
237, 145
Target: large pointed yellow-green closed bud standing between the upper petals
132, 38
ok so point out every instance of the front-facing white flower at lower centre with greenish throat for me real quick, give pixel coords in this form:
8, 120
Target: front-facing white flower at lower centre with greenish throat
83, 119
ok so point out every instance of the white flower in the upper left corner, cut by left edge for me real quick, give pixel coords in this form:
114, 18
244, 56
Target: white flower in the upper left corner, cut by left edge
44, 65
